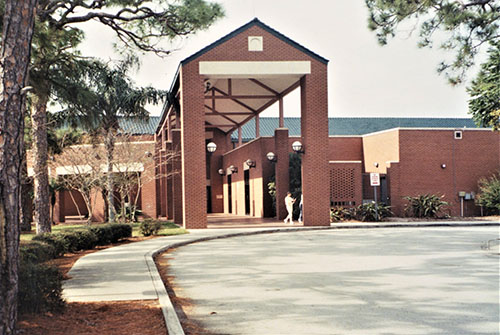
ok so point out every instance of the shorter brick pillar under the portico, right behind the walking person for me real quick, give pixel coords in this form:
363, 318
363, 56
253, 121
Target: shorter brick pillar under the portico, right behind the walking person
282, 171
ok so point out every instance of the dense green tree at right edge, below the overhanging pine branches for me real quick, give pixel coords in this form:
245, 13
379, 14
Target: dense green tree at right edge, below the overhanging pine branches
484, 104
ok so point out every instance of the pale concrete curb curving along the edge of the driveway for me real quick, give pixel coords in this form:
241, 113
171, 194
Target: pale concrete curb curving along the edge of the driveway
172, 322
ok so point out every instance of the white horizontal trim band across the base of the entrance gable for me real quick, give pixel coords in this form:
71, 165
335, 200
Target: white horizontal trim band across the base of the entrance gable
247, 69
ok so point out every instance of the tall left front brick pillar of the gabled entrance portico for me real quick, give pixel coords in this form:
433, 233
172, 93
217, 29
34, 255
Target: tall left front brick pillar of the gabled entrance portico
194, 193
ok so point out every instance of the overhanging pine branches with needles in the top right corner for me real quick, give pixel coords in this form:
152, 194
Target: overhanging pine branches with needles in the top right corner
464, 26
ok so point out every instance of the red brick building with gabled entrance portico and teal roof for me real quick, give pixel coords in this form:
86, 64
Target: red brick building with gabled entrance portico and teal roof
216, 97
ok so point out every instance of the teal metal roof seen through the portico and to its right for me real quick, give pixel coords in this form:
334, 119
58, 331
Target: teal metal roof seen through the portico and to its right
352, 126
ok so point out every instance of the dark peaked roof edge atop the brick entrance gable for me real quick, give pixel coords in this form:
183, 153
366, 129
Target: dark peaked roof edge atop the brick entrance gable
255, 22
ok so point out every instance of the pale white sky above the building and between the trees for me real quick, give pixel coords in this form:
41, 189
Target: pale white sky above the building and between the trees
364, 78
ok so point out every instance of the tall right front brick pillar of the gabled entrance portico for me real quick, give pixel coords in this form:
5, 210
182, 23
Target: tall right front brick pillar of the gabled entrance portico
314, 131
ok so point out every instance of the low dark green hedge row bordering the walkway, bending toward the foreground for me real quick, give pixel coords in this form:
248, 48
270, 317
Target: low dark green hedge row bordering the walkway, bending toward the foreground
40, 285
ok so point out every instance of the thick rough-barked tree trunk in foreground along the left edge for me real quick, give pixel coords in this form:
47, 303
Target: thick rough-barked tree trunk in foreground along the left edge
17, 31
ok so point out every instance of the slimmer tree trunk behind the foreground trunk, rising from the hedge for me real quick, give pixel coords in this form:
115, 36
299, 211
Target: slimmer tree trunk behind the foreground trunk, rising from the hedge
40, 168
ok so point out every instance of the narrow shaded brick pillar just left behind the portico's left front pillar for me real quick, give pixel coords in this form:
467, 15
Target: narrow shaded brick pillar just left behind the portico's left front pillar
176, 177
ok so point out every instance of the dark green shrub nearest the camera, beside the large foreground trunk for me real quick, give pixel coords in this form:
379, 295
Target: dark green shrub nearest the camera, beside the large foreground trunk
40, 288
